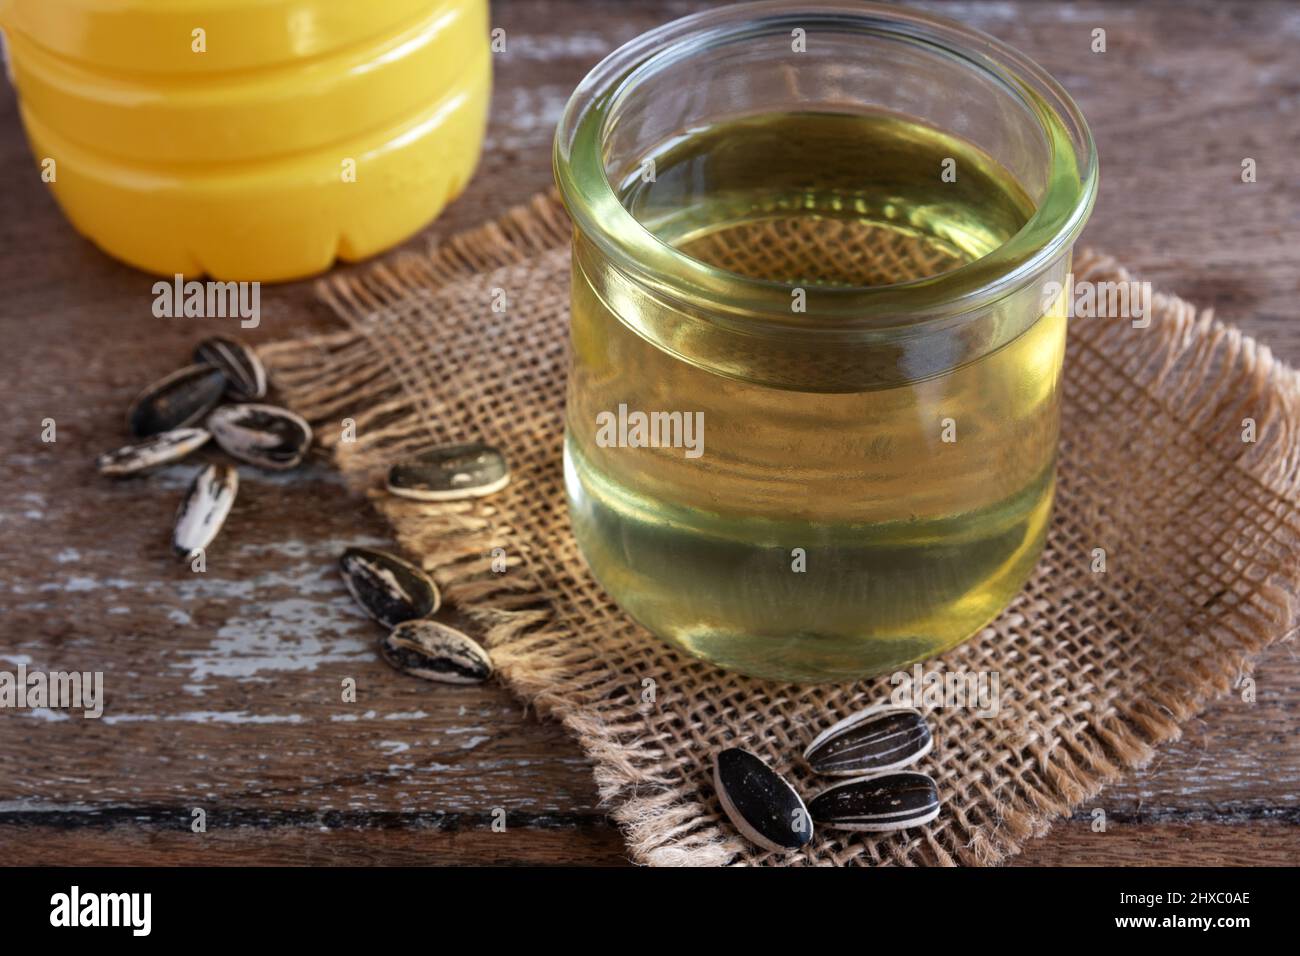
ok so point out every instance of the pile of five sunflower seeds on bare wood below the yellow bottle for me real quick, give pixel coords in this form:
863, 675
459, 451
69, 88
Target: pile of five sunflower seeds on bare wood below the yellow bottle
210, 400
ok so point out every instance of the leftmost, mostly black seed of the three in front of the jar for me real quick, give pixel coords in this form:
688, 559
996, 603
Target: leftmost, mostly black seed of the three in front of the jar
760, 802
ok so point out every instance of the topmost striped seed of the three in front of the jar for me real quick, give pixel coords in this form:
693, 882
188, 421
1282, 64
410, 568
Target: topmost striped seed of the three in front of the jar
874, 741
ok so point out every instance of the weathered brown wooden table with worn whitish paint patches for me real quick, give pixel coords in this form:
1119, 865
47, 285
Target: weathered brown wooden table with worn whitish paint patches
224, 690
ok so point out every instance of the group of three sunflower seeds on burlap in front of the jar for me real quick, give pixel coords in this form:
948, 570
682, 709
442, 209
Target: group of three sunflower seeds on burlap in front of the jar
870, 749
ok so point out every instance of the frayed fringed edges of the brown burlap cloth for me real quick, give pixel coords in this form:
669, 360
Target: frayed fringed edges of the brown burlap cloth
1206, 375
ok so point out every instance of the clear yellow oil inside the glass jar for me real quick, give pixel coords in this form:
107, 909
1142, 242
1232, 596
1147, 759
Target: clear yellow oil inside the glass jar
818, 537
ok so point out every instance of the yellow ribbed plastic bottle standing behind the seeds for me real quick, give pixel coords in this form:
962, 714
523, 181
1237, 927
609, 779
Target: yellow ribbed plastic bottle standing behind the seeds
252, 140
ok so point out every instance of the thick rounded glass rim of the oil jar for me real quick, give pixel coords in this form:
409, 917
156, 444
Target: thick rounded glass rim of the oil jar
665, 271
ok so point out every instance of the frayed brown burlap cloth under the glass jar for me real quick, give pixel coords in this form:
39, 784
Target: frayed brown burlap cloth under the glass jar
1201, 533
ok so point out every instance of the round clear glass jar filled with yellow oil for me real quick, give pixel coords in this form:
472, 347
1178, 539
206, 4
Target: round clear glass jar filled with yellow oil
813, 405
